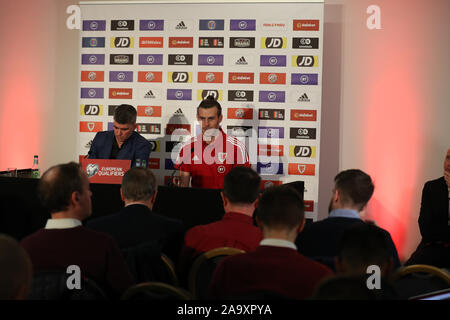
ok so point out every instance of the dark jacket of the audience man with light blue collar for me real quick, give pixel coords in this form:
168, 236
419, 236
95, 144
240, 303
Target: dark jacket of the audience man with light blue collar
319, 240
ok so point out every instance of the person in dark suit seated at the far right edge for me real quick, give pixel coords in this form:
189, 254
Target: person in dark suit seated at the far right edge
434, 222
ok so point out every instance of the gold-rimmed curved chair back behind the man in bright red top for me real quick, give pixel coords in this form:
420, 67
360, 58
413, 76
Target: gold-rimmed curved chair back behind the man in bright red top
203, 268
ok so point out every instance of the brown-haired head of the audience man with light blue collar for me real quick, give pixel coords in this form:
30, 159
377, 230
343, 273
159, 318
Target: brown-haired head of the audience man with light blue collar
355, 187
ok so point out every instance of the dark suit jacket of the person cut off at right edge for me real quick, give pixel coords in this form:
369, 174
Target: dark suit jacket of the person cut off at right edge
433, 218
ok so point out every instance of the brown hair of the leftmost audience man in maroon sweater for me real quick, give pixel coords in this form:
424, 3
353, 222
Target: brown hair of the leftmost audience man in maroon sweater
57, 185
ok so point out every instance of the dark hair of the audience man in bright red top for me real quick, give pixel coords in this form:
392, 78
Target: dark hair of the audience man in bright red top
241, 185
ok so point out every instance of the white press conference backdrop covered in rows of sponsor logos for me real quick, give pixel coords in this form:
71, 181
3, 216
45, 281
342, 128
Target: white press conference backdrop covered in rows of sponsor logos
261, 60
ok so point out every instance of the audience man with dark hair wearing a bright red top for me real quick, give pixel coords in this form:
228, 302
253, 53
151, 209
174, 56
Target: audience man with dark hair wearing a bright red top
236, 229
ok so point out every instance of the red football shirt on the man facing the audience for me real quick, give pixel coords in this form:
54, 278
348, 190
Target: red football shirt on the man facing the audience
209, 163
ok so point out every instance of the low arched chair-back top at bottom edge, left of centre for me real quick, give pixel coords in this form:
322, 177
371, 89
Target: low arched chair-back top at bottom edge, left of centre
156, 291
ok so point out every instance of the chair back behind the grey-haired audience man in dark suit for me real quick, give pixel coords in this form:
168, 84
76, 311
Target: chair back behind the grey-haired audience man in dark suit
147, 263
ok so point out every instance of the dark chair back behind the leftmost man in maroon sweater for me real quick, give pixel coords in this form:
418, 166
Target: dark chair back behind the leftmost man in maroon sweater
52, 285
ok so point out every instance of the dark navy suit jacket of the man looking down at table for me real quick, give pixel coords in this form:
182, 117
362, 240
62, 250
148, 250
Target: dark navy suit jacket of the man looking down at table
135, 147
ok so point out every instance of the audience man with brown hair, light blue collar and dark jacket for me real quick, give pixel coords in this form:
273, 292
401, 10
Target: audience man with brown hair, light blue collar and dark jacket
351, 193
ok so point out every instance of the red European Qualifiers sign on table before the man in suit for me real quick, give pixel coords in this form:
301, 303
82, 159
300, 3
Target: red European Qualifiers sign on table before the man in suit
108, 171
